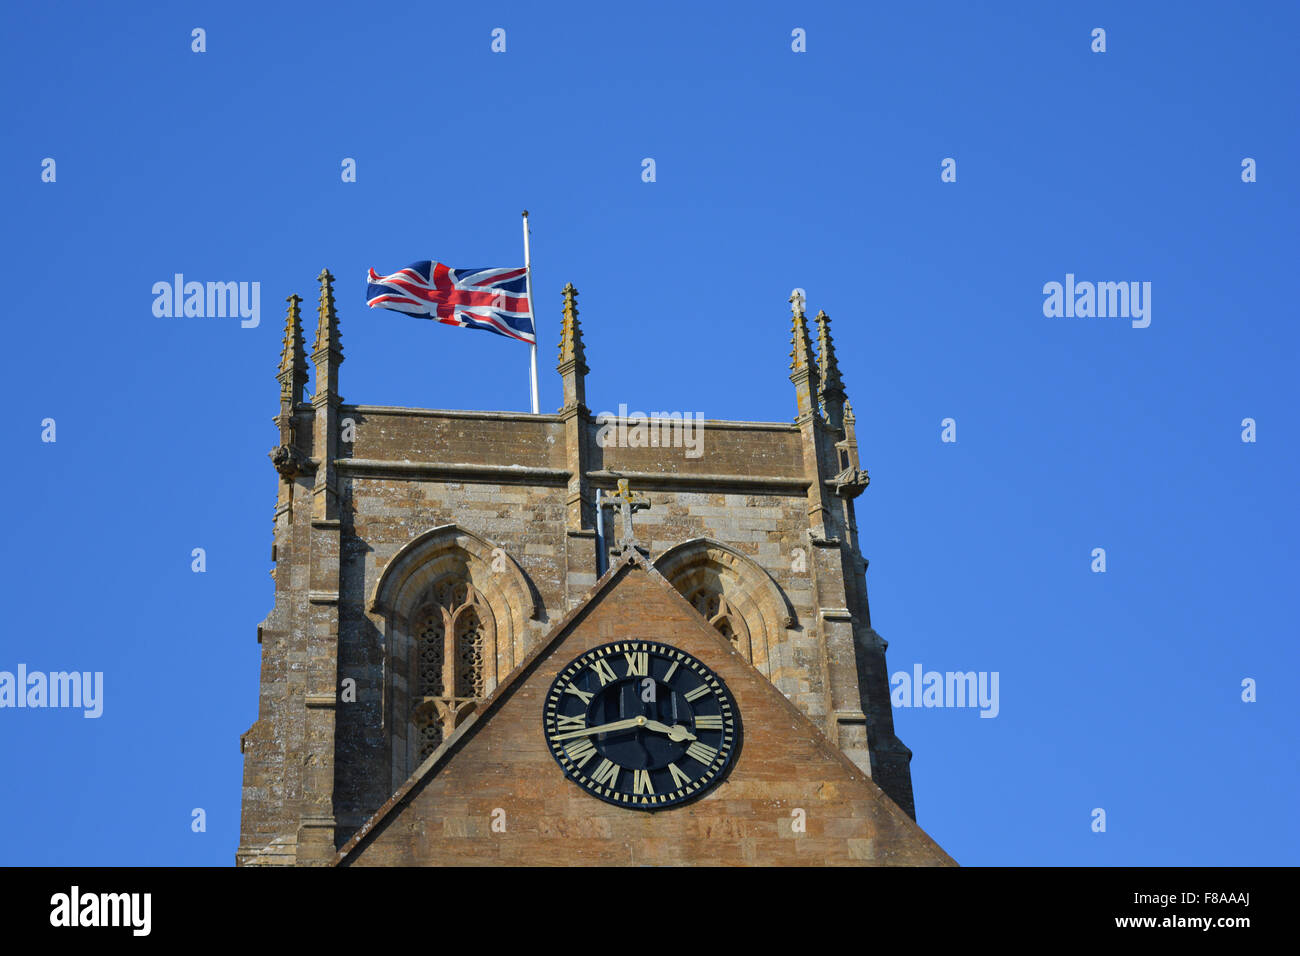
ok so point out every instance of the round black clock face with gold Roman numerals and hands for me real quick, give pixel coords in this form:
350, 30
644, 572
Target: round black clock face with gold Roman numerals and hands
642, 725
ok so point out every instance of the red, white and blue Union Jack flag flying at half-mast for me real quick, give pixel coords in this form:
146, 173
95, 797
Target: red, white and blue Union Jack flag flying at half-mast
492, 300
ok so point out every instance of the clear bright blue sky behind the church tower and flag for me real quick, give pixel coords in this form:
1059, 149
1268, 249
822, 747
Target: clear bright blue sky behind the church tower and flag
774, 170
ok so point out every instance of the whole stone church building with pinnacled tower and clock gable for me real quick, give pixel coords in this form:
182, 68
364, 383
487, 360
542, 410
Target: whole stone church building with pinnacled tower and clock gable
501, 638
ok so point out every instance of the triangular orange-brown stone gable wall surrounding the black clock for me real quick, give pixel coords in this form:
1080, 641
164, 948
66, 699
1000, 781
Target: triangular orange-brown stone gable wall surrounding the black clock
500, 764
